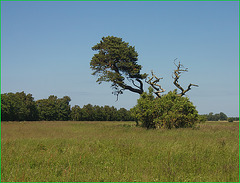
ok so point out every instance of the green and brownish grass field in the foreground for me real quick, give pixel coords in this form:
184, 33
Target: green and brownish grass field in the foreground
118, 151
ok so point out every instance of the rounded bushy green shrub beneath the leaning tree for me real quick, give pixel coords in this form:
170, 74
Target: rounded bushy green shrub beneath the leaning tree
169, 111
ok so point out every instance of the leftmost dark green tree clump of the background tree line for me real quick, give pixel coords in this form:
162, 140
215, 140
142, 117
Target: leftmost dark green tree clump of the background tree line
18, 107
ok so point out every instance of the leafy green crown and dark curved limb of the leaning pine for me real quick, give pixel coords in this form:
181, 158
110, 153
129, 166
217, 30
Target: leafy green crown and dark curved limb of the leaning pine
115, 62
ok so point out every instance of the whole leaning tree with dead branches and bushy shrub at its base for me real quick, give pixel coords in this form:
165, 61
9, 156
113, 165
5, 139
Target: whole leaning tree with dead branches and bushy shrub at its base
116, 62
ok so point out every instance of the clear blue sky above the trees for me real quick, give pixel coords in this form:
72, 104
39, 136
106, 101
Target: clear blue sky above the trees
46, 48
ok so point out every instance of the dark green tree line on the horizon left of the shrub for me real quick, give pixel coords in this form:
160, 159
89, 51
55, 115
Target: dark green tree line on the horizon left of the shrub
22, 107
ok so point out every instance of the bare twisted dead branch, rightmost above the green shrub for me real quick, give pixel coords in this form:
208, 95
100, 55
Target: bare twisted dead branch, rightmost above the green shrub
180, 69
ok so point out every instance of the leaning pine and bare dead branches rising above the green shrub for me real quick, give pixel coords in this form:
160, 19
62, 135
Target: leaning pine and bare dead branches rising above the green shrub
116, 62
